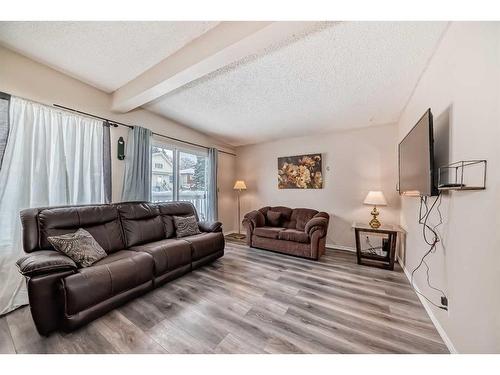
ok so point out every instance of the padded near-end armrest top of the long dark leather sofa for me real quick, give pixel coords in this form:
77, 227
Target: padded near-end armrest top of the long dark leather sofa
44, 262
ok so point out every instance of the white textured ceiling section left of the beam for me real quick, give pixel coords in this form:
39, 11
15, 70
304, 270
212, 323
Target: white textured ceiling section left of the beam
104, 54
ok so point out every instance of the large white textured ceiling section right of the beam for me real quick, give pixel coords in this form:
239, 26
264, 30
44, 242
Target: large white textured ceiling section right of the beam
339, 76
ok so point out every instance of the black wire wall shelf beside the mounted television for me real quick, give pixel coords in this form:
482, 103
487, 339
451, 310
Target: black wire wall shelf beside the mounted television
464, 175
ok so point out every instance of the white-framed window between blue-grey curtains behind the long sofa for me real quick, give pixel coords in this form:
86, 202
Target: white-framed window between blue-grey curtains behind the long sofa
182, 176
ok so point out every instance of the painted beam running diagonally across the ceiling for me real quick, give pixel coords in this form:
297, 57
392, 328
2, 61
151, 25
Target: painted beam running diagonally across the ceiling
223, 45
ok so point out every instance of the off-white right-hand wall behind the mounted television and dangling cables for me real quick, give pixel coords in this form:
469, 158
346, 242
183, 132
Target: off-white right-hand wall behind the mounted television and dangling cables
462, 82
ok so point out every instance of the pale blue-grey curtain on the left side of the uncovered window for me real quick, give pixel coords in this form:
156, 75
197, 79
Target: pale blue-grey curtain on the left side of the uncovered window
137, 178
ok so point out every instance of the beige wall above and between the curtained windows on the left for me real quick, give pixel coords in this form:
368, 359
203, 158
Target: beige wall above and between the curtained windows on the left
31, 80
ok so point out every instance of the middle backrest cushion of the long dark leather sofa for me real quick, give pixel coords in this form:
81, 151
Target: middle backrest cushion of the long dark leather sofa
141, 223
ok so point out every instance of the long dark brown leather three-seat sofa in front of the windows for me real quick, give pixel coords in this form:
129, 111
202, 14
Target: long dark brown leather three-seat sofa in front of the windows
142, 249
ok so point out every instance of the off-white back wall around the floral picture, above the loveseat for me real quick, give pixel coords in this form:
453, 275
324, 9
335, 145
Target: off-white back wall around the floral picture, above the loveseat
354, 162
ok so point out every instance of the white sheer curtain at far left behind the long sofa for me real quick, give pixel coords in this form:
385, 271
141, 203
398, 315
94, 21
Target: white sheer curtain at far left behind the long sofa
51, 158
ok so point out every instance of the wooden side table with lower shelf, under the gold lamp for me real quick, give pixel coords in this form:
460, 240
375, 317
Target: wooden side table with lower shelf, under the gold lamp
382, 253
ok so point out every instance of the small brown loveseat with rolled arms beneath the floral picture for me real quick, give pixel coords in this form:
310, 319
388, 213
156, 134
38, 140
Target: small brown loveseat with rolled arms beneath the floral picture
300, 231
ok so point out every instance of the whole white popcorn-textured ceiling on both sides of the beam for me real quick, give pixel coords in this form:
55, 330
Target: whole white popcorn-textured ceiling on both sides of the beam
333, 76
